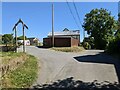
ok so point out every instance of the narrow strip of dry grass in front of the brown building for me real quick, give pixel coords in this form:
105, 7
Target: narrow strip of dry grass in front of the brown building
68, 49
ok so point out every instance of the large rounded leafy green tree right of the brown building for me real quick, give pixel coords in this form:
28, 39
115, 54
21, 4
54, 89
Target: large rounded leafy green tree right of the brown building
100, 25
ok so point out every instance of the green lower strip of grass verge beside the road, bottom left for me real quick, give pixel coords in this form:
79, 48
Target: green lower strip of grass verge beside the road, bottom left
23, 76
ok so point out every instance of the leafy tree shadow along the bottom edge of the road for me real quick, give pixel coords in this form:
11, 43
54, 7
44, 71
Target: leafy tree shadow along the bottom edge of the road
70, 84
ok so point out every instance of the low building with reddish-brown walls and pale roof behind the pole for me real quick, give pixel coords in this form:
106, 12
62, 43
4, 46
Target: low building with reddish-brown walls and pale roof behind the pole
66, 38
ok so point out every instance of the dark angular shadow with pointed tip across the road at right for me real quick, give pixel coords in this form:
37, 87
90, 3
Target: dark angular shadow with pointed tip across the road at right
101, 58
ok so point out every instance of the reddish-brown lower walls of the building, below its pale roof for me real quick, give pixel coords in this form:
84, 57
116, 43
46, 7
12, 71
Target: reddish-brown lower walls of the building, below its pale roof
60, 42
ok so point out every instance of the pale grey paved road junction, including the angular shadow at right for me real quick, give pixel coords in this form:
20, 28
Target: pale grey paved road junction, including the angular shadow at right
86, 66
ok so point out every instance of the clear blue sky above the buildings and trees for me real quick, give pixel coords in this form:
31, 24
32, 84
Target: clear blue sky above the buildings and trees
38, 16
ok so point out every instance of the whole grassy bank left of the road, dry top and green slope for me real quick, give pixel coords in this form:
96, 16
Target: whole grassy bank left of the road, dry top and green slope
25, 72
